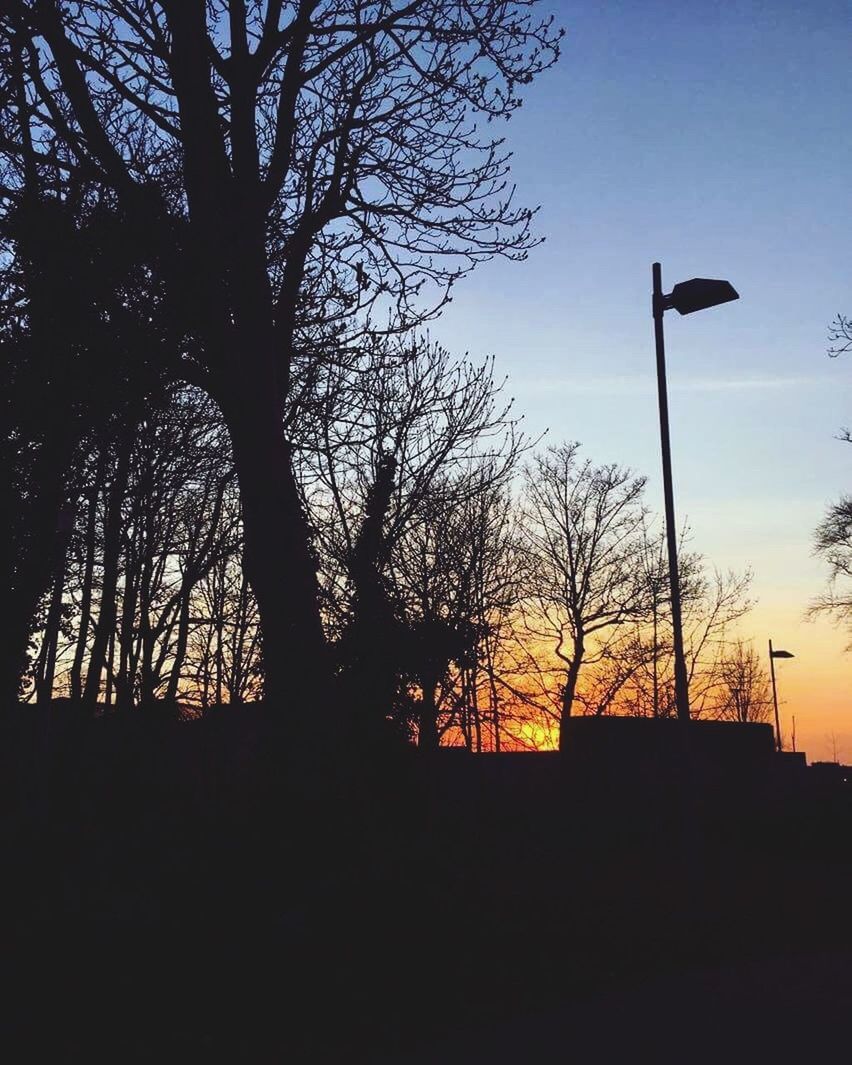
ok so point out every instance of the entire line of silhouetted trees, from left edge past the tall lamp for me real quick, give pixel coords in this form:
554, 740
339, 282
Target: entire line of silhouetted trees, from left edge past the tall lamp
234, 461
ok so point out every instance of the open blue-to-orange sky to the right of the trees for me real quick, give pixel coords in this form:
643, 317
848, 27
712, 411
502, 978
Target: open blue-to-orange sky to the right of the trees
711, 138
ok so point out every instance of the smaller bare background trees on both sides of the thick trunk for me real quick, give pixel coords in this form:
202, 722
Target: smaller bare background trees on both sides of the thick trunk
476, 592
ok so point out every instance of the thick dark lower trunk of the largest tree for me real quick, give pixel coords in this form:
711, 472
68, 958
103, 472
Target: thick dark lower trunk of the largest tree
277, 558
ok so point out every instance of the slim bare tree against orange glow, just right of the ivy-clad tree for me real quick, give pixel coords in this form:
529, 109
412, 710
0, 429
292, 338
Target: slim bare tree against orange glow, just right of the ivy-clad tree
456, 580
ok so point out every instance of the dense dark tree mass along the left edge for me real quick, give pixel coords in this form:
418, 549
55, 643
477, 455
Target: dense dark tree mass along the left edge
81, 346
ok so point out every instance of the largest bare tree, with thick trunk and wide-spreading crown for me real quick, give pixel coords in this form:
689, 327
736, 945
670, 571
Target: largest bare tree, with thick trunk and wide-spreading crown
299, 163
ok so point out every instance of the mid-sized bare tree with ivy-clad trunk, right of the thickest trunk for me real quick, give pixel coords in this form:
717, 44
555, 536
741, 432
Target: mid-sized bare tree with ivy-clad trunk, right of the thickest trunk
415, 436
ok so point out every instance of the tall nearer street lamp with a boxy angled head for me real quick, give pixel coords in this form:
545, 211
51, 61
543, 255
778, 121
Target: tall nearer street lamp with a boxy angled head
685, 299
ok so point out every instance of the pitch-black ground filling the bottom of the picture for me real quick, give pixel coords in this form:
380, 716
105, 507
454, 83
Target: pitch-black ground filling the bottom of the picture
216, 890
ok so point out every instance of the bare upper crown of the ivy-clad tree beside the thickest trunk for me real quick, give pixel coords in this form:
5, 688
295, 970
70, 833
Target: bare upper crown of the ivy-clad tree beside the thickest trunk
413, 407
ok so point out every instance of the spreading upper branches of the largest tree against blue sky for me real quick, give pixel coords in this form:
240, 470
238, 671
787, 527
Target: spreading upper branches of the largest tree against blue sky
281, 122
